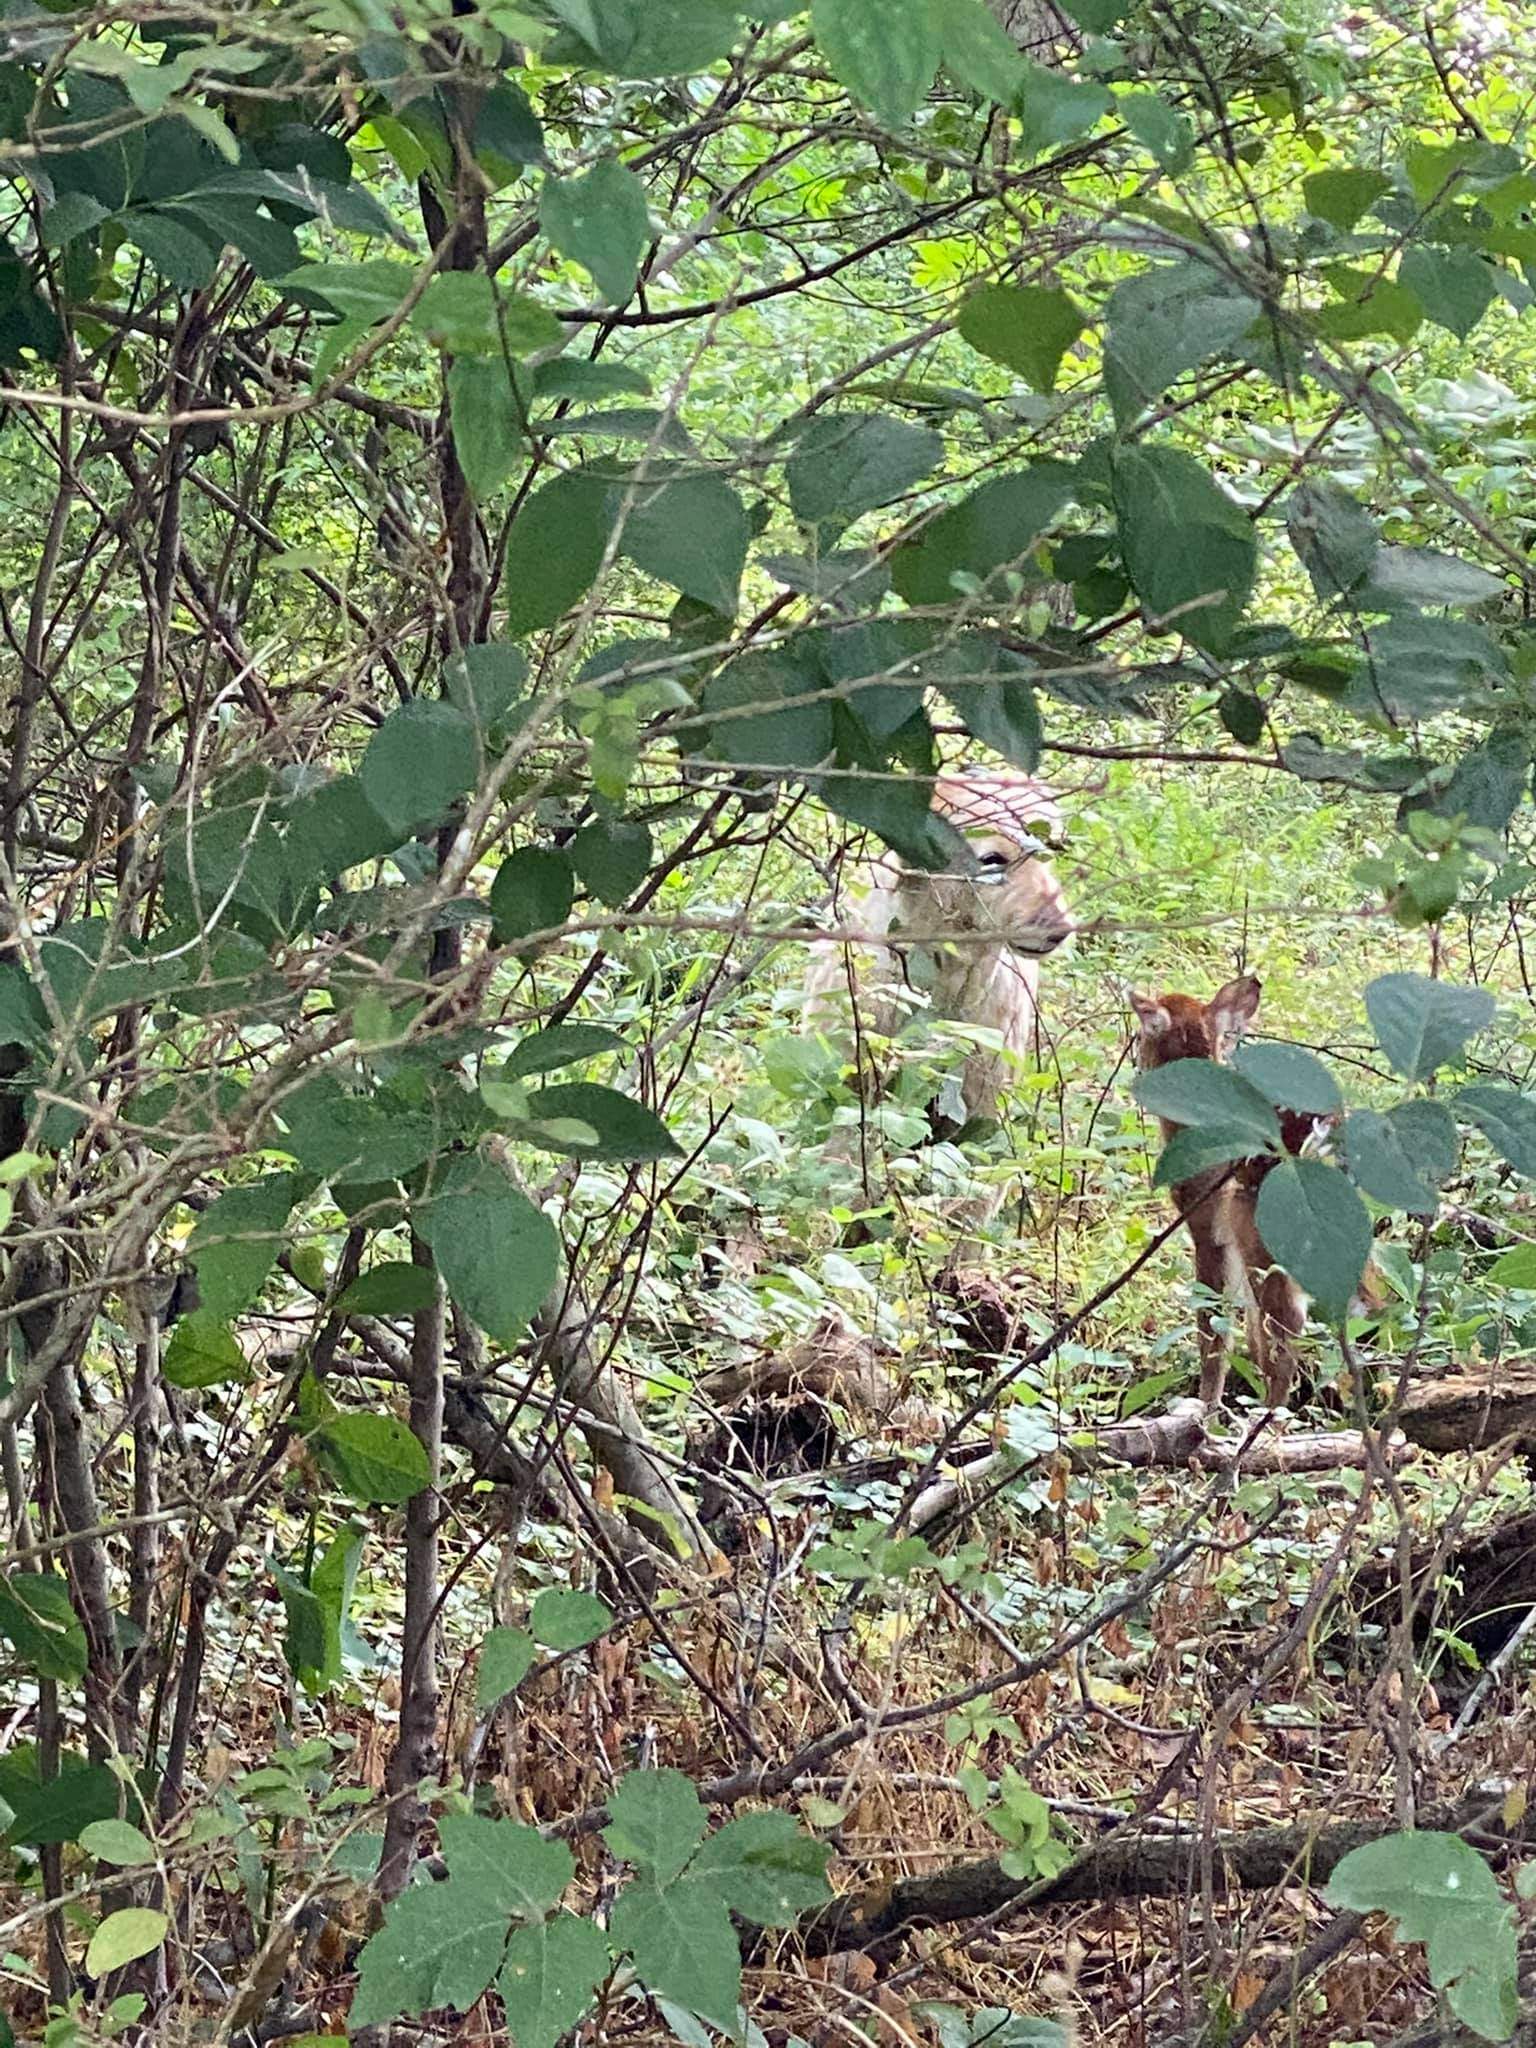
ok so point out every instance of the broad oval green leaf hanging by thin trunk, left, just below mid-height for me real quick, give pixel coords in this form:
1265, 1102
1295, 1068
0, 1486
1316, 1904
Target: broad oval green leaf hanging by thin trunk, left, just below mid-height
497, 1252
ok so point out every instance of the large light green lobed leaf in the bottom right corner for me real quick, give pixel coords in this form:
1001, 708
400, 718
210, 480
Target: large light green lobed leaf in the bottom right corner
1443, 1893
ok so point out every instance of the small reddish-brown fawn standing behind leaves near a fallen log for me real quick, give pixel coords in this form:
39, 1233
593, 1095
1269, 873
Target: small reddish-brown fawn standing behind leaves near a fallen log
1220, 1203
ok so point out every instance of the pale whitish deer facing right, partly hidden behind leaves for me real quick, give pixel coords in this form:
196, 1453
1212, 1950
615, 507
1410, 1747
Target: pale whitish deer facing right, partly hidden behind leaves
1005, 919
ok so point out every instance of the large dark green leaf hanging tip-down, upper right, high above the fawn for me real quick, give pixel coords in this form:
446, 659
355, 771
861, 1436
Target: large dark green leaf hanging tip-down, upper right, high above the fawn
1189, 550
